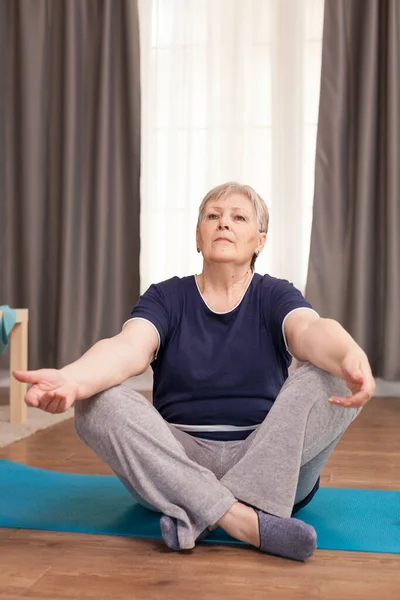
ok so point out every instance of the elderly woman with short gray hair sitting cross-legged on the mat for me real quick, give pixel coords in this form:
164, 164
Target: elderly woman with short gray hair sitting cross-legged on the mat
230, 440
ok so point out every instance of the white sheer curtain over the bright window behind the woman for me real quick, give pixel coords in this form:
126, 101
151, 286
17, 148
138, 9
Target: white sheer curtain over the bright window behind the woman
230, 91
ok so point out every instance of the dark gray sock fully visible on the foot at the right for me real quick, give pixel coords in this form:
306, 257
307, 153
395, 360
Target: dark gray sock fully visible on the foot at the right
290, 538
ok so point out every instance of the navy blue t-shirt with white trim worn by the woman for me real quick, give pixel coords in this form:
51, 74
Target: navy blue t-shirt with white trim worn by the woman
216, 375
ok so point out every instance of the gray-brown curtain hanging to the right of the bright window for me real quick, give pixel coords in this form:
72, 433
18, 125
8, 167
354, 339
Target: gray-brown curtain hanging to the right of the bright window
354, 268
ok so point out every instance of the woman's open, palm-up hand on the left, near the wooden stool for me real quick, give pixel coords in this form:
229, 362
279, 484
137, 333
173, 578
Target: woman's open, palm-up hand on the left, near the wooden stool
50, 390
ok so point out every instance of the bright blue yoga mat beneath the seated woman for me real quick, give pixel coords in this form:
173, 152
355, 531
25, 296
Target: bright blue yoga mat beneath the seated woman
30, 498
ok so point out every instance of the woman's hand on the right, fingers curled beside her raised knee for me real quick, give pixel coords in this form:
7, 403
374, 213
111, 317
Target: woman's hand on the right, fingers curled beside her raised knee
356, 372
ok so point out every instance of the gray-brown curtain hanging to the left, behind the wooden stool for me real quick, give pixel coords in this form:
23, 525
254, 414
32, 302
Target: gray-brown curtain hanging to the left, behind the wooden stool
69, 170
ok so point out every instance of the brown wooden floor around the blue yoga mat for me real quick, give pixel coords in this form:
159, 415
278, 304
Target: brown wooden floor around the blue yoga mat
47, 565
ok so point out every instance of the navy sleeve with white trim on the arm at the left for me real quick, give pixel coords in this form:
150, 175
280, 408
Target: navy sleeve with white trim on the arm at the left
151, 307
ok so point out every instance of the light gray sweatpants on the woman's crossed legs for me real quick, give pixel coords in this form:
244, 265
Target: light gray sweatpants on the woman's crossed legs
197, 480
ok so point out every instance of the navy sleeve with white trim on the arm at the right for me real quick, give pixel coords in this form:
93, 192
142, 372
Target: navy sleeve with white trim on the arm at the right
284, 298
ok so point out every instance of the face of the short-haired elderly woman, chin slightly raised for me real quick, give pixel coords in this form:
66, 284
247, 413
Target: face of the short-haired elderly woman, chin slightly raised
228, 231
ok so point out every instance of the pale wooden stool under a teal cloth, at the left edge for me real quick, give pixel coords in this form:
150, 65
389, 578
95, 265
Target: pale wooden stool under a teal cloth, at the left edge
18, 361
